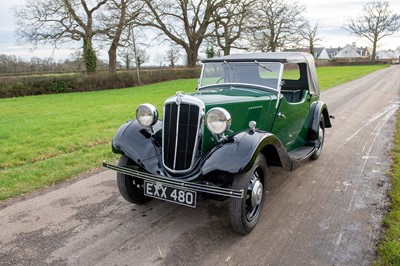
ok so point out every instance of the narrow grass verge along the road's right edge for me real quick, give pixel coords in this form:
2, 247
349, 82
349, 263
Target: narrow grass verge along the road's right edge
389, 248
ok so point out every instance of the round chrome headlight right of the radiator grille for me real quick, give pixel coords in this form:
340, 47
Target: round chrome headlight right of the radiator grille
218, 120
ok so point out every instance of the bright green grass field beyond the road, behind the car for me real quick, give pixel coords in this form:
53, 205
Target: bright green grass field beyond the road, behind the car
50, 138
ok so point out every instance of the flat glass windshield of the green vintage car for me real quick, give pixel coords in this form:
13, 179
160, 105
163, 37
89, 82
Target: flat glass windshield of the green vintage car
266, 74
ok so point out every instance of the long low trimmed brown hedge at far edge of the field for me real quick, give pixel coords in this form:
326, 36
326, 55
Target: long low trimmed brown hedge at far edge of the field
63, 83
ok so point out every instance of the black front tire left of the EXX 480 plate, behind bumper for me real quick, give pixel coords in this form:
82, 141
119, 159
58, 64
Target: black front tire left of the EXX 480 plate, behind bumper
131, 188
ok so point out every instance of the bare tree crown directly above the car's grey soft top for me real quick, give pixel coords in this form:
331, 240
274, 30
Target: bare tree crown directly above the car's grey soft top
276, 24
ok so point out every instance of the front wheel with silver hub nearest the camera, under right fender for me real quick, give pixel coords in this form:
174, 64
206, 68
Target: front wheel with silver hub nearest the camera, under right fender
245, 213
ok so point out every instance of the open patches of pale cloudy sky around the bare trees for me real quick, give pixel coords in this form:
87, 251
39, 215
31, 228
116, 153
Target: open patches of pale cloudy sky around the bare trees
330, 14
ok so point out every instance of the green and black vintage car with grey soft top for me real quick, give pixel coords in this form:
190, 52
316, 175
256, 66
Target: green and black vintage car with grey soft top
250, 111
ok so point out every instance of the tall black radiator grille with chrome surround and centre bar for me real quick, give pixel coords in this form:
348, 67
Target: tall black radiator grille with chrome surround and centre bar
180, 135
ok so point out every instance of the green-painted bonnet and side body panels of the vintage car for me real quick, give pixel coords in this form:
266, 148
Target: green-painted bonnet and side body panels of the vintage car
247, 104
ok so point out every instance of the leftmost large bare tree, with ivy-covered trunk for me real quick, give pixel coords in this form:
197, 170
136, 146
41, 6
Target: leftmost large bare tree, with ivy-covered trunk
58, 21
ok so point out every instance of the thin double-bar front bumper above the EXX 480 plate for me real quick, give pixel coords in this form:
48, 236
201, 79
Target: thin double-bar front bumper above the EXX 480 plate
215, 190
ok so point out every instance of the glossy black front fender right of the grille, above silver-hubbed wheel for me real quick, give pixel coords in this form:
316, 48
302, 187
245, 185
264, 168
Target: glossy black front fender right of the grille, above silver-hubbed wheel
239, 154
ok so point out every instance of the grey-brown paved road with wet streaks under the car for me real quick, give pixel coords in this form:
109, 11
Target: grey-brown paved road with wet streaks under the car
327, 212
